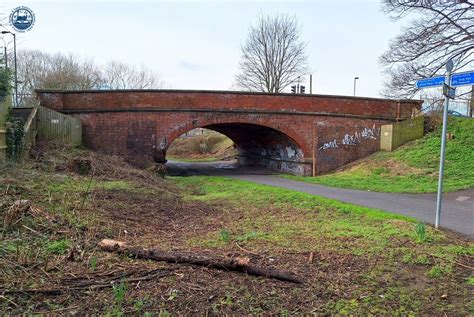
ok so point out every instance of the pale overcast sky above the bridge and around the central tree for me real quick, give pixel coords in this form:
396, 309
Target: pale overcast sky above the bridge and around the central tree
196, 44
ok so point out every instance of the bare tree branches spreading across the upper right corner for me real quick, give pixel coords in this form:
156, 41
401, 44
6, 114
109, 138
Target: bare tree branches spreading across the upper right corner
440, 30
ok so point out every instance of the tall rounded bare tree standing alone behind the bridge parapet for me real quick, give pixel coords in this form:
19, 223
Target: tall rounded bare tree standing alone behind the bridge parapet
273, 56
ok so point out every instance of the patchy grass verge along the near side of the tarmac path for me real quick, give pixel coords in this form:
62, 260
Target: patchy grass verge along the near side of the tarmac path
396, 259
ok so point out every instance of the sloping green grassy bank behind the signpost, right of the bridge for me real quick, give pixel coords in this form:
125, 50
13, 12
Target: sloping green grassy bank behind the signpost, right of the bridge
412, 168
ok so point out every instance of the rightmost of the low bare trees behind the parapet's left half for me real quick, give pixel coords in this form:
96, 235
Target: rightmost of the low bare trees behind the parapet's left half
117, 75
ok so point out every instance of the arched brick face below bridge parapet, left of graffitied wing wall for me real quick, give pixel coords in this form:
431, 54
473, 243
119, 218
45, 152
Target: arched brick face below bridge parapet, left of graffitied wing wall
150, 134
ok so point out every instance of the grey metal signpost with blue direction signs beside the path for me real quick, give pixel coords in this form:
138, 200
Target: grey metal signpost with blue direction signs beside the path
448, 82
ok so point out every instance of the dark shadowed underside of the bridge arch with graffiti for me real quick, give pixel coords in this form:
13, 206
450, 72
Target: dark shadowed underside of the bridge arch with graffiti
259, 145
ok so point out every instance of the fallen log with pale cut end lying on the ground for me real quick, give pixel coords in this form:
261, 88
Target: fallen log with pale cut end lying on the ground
237, 264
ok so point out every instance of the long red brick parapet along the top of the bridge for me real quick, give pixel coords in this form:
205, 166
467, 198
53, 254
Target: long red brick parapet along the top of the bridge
225, 101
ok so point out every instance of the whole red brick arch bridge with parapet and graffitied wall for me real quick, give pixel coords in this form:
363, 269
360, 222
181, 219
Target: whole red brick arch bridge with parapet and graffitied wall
299, 134
